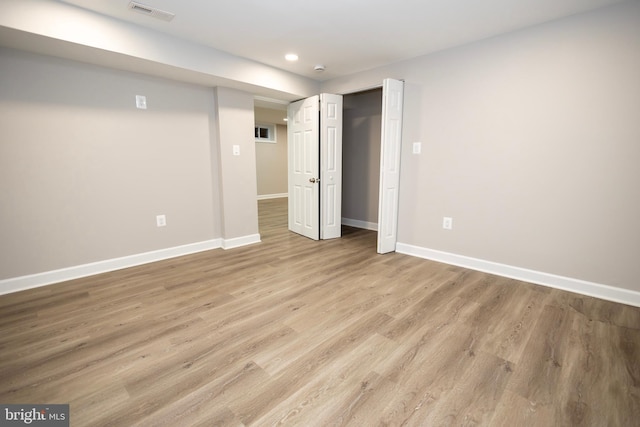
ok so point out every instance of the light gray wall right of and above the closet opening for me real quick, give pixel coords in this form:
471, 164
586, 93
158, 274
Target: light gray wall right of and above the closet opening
531, 143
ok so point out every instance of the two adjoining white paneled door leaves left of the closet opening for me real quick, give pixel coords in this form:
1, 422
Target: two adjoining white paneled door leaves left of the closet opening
315, 166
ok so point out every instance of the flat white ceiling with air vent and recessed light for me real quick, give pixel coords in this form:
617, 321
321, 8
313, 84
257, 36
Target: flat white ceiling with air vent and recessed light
346, 36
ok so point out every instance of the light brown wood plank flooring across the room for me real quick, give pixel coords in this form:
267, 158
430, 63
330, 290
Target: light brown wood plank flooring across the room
296, 332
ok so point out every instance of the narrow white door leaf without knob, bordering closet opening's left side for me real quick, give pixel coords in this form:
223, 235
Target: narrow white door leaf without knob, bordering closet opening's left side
330, 166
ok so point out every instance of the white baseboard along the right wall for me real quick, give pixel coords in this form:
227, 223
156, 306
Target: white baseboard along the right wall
597, 290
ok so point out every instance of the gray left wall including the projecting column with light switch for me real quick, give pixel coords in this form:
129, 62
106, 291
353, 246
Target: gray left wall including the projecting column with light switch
83, 173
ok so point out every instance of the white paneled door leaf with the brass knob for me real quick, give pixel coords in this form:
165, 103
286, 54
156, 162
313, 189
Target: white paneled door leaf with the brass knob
304, 166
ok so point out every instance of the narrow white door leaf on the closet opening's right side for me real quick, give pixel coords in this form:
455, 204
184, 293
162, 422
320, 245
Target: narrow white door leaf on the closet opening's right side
392, 100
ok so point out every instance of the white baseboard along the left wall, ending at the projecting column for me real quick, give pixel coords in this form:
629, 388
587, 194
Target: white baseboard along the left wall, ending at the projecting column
49, 277
